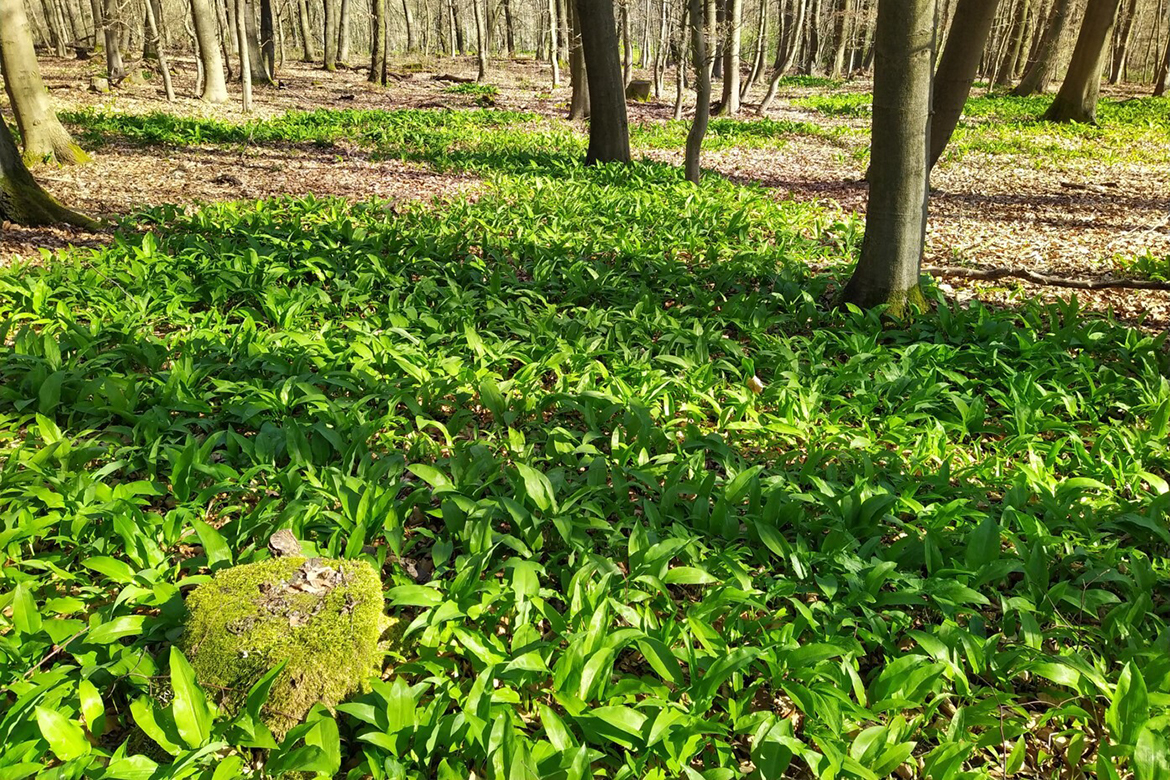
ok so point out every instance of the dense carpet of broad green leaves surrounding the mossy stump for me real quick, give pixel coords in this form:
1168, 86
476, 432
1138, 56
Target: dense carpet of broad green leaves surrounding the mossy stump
937, 549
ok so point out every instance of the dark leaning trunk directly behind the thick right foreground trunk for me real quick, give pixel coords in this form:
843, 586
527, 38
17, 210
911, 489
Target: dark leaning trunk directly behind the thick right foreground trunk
958, 65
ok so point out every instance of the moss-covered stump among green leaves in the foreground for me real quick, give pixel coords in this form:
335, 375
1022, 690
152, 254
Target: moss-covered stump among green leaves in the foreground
324, 617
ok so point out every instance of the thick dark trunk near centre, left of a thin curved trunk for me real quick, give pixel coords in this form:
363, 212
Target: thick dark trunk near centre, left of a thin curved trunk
609, 132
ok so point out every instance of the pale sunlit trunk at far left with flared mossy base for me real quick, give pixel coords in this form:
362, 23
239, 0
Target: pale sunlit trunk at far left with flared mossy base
45, 137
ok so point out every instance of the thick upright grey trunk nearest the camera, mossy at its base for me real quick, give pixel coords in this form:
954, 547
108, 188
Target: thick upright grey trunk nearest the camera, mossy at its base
897, 215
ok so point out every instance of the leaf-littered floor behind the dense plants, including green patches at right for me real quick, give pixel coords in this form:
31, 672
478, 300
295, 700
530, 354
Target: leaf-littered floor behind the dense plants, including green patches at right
1082, 203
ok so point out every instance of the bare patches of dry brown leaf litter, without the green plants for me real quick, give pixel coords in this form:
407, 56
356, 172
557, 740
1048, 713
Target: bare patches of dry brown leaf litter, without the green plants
1073, 218
